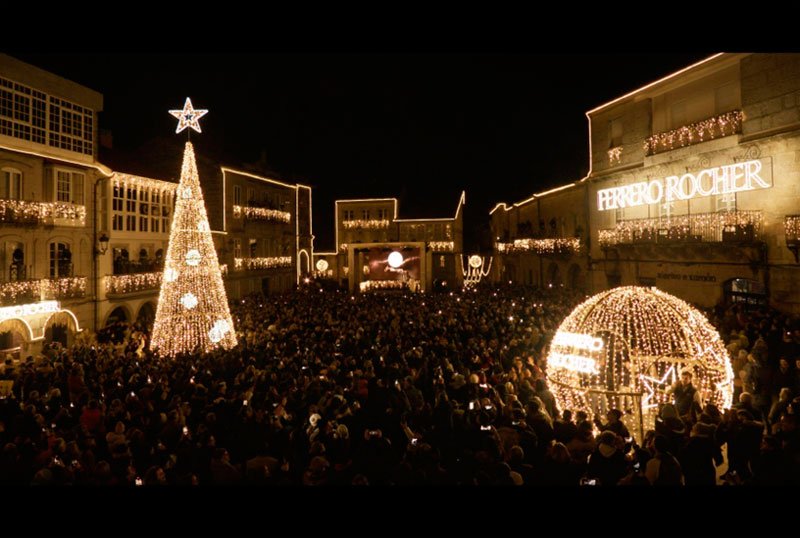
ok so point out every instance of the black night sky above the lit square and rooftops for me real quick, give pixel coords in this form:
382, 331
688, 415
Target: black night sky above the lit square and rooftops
419, 126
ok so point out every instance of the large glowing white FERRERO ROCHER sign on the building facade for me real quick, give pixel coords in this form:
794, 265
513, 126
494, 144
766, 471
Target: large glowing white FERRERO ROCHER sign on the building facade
731, 178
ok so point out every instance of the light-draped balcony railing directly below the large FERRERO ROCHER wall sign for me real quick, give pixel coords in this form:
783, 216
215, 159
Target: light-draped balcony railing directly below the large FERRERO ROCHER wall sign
699, 227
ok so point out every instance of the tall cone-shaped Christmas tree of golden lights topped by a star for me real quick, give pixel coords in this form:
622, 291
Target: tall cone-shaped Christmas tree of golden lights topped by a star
192, 312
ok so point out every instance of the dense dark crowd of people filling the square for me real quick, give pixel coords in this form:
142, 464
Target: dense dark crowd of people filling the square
326, 387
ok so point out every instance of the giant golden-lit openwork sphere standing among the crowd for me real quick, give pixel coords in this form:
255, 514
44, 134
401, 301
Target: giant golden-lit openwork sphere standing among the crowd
625, 348
